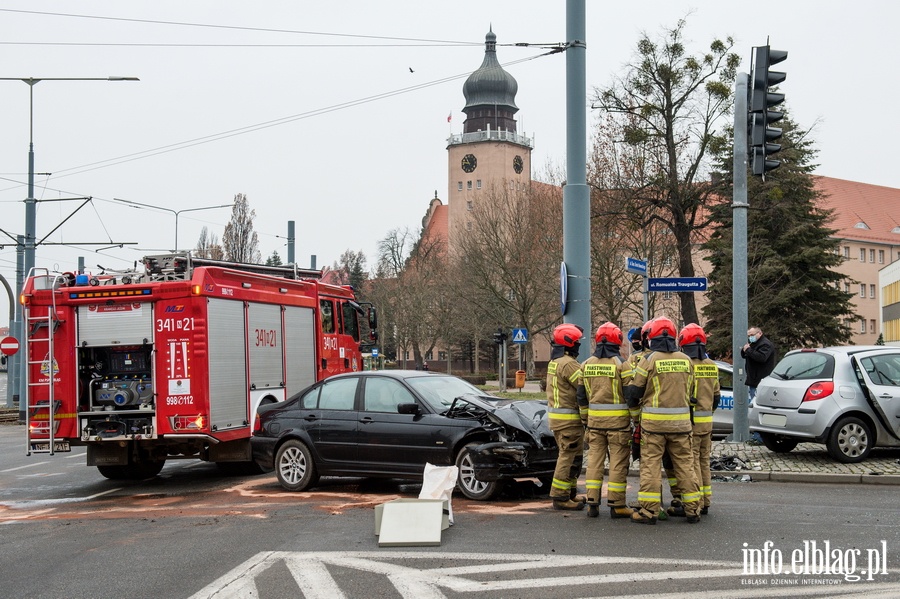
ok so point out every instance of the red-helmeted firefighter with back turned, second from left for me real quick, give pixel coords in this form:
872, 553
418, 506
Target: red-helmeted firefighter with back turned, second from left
608, 424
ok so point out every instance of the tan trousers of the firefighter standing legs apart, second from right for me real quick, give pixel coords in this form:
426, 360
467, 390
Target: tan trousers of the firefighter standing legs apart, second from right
653, 447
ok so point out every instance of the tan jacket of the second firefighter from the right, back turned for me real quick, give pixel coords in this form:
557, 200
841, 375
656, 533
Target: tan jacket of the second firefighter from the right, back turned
662, 385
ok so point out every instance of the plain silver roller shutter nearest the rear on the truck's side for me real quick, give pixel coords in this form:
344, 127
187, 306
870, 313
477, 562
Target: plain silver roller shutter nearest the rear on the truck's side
227, 364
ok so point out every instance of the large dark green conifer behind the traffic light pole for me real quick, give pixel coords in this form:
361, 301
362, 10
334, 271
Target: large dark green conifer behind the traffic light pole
793, 293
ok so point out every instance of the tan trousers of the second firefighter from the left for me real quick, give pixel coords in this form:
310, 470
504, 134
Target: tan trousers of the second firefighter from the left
618, 444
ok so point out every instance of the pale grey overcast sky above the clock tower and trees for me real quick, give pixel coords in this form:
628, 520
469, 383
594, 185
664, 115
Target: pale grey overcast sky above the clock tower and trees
334, 131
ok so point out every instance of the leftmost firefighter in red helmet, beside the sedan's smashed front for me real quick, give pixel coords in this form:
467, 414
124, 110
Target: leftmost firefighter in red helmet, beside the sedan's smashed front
567, 411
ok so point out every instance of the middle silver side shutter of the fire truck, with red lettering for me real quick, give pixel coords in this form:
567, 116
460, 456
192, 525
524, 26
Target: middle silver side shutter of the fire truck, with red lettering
264, 346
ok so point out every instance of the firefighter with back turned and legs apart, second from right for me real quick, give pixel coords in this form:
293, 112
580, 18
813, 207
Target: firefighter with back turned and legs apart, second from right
662, 386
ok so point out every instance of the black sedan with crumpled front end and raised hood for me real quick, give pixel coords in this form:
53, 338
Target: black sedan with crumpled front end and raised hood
390, 423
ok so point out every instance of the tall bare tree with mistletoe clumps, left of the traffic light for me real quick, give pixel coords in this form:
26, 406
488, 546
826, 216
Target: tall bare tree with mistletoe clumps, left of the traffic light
669, 103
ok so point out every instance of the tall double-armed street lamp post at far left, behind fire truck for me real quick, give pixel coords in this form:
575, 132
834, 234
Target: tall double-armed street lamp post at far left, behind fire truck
30, 207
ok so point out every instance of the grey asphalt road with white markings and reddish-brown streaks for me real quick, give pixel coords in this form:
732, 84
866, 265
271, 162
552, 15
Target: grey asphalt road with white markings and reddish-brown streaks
193, 532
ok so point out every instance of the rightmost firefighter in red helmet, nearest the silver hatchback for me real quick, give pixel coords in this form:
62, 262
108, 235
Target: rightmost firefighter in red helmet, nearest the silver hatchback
692, 340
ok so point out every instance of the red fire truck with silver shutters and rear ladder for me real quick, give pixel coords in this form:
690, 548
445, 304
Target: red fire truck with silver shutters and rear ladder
172, 361
